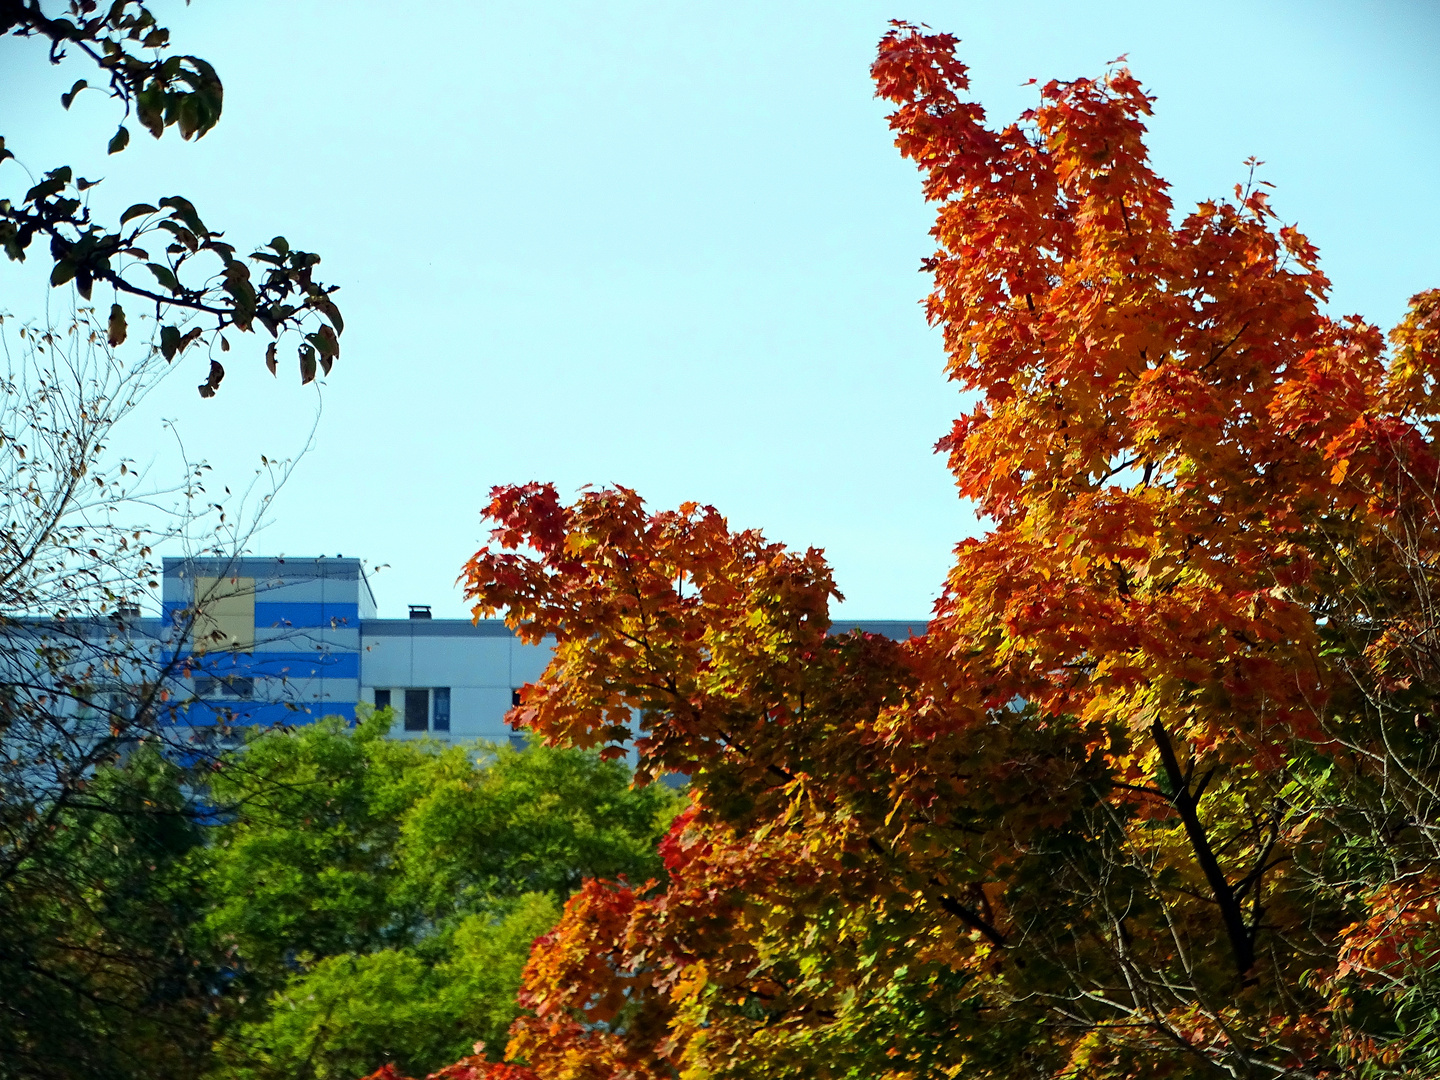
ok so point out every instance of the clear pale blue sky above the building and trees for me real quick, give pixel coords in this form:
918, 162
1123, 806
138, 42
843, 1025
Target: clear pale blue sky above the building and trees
672, 247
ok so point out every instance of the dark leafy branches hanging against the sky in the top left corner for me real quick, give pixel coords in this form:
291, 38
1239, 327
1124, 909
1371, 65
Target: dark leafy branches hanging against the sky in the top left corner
161, 254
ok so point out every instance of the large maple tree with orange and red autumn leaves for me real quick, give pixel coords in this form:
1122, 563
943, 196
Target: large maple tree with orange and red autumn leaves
1154, 796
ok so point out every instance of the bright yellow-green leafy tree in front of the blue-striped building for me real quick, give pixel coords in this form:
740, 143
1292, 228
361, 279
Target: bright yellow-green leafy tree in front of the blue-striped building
379, 898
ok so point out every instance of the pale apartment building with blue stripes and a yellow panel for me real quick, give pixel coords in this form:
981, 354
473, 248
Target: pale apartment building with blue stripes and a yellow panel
292, 640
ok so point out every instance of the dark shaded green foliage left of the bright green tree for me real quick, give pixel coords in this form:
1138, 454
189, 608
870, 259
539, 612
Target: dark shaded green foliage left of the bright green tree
104, 967
